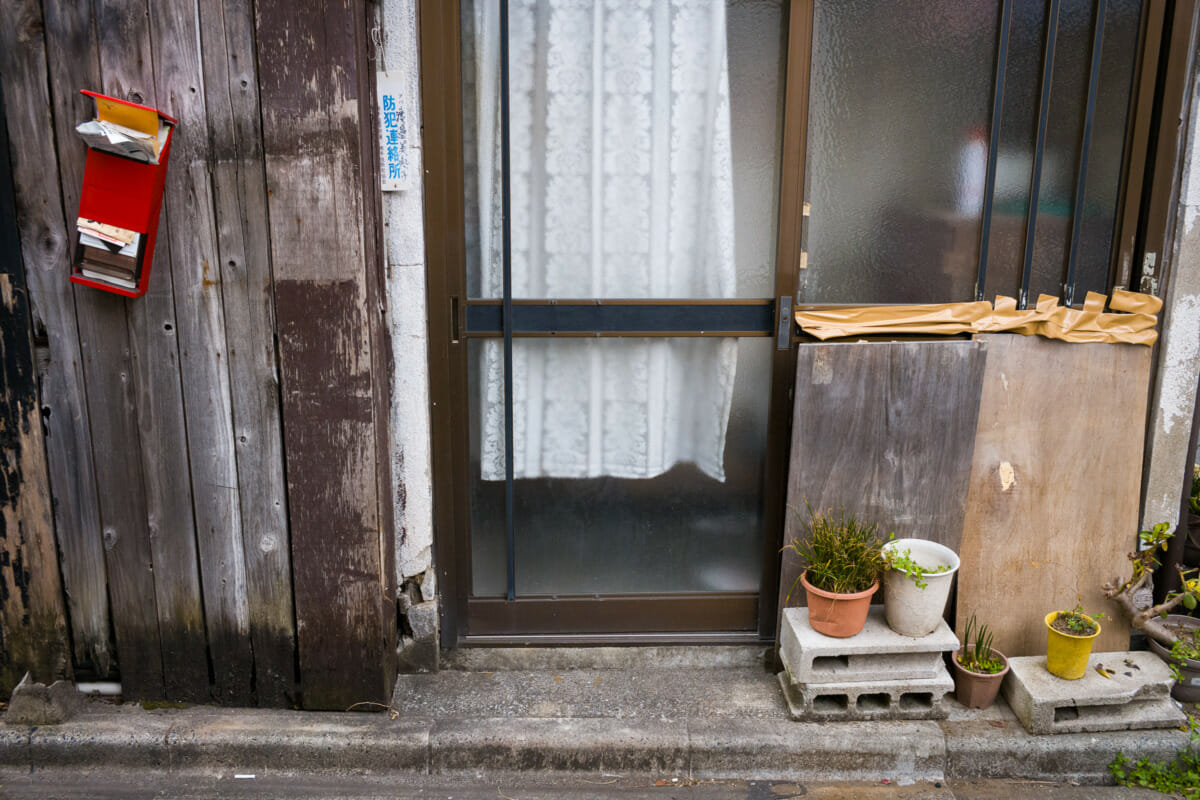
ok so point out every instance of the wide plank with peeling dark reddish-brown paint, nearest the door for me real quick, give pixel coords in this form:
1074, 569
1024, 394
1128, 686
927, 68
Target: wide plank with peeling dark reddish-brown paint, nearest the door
308, 62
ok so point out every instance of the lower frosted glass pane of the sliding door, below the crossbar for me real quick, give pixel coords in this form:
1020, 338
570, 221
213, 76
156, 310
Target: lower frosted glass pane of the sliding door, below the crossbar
680, 532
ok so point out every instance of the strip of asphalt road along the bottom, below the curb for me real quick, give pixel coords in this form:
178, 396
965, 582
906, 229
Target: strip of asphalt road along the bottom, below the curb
137, 786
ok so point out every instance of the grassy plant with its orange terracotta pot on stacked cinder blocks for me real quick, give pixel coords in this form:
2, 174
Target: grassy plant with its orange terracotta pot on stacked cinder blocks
843, 562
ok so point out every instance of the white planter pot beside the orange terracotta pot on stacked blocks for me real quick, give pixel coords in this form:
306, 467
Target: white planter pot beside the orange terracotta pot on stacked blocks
913, 611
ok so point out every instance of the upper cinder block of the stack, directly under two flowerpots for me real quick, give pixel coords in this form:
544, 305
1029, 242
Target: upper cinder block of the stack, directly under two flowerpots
875, 654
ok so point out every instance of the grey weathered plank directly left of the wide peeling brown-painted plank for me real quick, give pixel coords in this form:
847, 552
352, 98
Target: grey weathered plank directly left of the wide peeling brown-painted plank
236, 154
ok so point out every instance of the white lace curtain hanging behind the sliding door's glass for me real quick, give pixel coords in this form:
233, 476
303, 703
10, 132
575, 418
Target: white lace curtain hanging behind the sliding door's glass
621, 188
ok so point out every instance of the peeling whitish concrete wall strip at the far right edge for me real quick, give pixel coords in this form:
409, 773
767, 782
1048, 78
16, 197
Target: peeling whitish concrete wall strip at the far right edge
1174, 394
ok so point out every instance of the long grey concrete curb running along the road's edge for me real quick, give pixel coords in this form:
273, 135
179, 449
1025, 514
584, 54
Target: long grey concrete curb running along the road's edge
215, 741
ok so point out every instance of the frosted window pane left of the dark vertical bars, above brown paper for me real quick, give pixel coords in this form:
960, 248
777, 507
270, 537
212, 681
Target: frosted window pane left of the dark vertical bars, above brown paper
898, 129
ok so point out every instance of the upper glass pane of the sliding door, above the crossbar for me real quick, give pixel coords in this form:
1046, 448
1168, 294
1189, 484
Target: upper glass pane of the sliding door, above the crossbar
646, 148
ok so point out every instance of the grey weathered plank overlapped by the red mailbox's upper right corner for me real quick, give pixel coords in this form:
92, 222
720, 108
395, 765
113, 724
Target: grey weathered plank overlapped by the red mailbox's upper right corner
196, 273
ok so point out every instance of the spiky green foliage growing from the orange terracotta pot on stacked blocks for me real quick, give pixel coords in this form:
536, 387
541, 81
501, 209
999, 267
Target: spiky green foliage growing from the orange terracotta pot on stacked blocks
841, 554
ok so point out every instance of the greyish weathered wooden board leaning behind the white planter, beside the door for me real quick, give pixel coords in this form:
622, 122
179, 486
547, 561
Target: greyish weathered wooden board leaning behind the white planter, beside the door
886, 431
